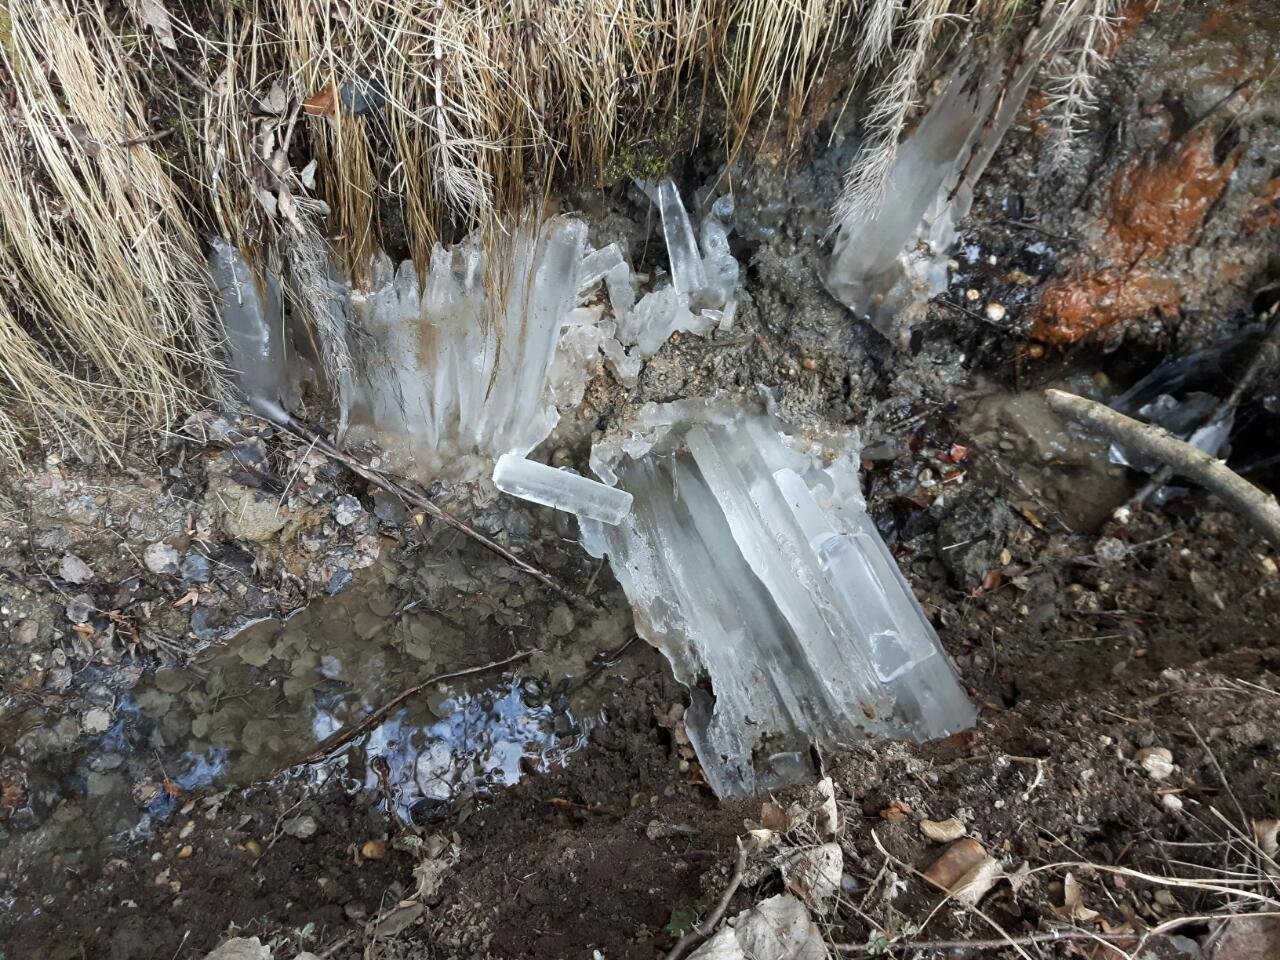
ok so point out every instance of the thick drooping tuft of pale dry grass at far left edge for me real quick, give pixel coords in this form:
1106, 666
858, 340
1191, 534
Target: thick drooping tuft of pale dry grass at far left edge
104, 313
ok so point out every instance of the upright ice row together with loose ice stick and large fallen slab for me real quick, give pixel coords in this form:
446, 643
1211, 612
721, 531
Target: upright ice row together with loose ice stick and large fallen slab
743, 546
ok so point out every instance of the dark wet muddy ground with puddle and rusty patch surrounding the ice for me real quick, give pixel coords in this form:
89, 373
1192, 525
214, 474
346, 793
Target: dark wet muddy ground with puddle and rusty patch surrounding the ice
552, 807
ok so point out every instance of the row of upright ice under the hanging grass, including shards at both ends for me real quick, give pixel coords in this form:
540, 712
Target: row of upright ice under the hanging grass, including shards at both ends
452, 371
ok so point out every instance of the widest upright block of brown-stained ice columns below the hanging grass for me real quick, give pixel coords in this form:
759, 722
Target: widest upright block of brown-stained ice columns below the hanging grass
463, 369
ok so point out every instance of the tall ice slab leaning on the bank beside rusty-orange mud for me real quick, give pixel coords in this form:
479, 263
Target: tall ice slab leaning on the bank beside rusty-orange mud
889, 262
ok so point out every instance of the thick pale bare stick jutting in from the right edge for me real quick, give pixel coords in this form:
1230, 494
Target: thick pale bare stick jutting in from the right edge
1150, 441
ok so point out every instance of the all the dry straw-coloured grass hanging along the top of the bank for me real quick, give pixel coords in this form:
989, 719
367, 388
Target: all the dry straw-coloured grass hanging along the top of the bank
295, 126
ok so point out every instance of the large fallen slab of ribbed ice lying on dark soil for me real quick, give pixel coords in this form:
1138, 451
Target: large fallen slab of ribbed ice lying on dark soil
752, 564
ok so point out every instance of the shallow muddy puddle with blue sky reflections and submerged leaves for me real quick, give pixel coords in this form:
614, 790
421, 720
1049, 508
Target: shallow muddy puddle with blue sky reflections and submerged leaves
254, 707
